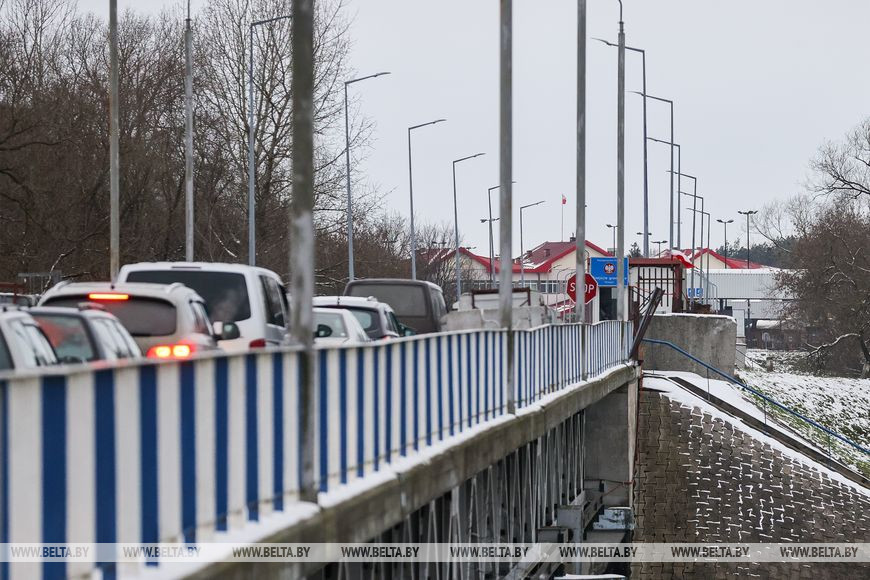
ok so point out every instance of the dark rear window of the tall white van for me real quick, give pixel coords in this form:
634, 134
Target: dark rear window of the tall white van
225, 293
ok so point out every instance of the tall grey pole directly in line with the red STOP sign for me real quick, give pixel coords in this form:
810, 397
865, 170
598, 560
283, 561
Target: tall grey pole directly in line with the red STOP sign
580, 241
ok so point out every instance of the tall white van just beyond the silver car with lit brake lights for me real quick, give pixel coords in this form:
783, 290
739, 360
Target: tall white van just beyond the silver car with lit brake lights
252, 298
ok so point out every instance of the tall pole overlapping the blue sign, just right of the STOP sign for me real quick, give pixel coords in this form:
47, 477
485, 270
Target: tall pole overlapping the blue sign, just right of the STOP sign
620, 171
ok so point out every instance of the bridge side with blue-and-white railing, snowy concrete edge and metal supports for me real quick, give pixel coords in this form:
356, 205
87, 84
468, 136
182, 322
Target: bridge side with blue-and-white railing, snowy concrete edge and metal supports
414, 438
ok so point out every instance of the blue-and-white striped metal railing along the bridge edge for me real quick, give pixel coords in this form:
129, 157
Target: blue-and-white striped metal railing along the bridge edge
177, 451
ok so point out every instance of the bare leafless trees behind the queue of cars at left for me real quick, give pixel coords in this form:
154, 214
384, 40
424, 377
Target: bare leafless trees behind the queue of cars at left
54, 142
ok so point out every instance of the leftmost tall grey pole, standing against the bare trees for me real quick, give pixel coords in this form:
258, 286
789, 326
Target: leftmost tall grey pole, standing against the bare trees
114, 165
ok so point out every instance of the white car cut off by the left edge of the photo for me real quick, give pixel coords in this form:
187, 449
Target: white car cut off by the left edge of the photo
23, 345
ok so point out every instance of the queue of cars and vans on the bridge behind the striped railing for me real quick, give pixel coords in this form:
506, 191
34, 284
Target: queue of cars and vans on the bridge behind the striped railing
177, 310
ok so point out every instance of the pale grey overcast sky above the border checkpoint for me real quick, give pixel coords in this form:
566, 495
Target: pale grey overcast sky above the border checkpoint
758, 87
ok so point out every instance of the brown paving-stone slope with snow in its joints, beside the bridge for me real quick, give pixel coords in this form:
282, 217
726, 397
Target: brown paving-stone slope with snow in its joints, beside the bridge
700, 478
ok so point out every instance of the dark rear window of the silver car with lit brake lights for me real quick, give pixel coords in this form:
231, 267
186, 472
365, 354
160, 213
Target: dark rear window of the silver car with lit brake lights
140, 316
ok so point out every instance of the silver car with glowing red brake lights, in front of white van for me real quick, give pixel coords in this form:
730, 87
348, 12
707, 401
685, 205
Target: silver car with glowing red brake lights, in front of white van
166, 321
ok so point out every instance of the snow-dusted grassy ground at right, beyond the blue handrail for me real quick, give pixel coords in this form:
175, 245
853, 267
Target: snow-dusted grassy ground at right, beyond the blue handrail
840, 404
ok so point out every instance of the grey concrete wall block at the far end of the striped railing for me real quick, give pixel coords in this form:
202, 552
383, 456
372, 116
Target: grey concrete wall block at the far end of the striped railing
711, 338
